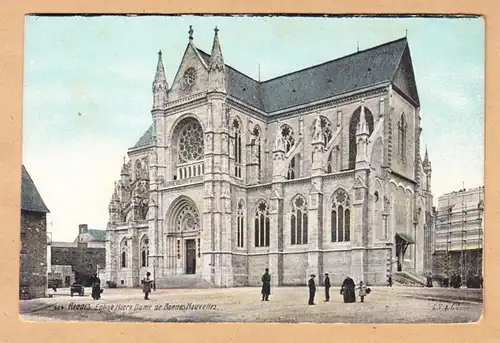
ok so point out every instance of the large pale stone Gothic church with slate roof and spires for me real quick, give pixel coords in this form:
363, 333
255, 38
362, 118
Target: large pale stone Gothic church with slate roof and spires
317, 171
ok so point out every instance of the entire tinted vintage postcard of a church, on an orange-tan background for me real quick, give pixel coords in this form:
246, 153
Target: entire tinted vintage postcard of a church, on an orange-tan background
253, 169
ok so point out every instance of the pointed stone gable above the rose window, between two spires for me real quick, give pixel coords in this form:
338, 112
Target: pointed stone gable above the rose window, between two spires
191, 59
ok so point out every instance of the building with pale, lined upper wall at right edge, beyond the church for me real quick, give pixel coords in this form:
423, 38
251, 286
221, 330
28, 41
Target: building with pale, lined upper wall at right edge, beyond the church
458, 238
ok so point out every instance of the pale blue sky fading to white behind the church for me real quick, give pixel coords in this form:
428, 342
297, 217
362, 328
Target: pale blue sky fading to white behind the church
103, 67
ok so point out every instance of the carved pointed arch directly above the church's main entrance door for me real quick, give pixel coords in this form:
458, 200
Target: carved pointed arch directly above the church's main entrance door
184, 215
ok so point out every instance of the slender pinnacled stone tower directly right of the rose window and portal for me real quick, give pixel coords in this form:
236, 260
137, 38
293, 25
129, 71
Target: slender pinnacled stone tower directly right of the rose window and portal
216, 239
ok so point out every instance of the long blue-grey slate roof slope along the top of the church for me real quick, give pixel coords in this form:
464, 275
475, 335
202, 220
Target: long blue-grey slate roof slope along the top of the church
349, 73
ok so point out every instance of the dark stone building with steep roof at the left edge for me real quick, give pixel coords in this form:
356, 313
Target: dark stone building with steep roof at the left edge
33, 254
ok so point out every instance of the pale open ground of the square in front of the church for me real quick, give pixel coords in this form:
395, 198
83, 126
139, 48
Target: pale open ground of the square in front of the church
287, 305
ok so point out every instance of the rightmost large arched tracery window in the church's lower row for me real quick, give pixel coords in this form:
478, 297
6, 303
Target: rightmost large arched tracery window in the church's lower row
340, 217
